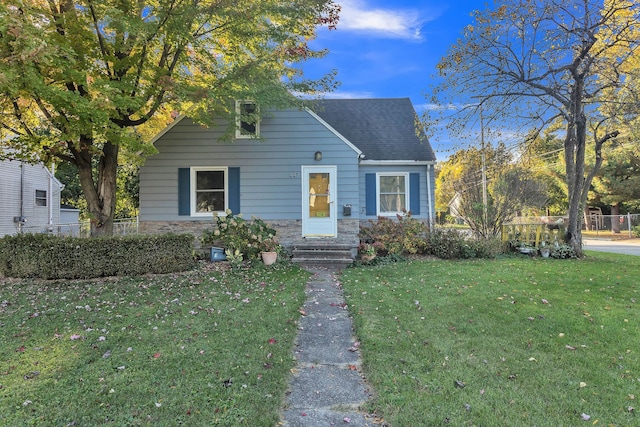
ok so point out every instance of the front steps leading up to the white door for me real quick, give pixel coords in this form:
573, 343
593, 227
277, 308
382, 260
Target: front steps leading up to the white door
323, 252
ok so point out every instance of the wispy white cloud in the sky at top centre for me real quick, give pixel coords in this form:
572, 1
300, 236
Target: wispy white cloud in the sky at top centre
356, 15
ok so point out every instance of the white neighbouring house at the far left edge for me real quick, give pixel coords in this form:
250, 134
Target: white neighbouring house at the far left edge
29, 198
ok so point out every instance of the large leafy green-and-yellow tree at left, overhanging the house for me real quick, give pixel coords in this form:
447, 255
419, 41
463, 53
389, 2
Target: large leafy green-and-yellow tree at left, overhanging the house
81, 81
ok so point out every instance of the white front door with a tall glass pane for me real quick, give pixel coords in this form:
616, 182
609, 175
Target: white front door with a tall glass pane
319, 195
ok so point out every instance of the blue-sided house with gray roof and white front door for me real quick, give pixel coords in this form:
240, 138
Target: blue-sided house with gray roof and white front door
319, 172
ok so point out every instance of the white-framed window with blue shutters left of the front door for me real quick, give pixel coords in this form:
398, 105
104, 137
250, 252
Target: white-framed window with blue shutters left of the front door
209, 186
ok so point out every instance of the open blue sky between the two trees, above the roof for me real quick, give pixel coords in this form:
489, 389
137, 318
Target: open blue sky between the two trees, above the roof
389, 49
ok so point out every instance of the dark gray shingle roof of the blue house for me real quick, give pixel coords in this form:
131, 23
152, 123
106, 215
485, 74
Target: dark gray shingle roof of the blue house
382, 128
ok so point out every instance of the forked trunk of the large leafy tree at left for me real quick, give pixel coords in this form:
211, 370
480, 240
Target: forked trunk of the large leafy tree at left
100, 193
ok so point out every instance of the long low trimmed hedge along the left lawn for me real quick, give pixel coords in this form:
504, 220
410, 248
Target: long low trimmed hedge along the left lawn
50, 257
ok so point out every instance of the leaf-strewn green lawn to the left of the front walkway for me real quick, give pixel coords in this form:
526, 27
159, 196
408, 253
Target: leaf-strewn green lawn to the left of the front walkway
207, 347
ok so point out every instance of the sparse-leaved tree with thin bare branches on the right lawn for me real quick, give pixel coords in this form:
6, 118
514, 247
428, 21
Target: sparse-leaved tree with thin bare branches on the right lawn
534, 62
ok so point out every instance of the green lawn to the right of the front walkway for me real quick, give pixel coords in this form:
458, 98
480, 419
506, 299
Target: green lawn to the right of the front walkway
529, 341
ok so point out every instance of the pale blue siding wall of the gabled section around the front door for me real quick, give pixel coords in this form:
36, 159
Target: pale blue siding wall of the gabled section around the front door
270, 171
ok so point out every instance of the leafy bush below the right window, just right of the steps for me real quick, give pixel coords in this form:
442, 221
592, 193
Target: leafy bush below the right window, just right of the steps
406, 235
